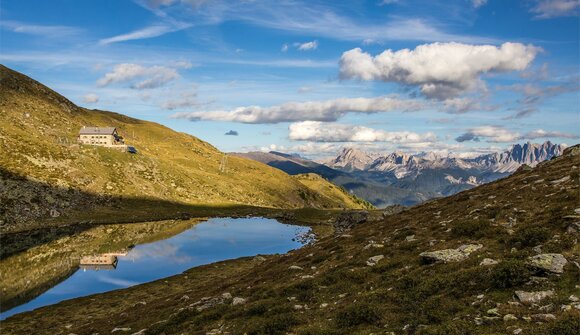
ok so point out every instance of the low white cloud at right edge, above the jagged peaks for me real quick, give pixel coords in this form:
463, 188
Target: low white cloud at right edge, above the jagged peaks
499, 134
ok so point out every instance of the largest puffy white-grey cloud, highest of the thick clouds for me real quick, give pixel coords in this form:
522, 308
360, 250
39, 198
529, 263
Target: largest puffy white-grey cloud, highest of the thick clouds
440, 70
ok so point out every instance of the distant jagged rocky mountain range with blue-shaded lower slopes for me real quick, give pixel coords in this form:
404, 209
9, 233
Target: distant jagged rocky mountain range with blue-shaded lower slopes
408, 179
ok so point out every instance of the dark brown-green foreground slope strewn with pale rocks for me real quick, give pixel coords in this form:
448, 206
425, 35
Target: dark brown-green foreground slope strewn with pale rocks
376, 278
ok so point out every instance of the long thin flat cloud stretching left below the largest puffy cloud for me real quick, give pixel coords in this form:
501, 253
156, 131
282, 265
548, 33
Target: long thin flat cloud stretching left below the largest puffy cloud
329, 110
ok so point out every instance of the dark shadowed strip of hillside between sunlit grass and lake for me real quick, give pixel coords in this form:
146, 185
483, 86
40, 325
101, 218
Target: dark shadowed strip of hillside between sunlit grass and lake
33, 213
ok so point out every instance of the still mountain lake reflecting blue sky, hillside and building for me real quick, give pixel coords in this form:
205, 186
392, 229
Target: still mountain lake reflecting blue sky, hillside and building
207, 242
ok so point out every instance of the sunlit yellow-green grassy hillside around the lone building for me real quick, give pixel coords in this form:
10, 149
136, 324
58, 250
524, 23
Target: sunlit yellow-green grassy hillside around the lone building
38, 144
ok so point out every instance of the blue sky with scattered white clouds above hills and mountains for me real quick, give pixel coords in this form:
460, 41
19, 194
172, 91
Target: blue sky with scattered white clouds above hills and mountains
311, 77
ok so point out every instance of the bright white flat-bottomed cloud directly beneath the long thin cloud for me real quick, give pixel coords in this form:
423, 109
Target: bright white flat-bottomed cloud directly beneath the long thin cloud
333, 132
